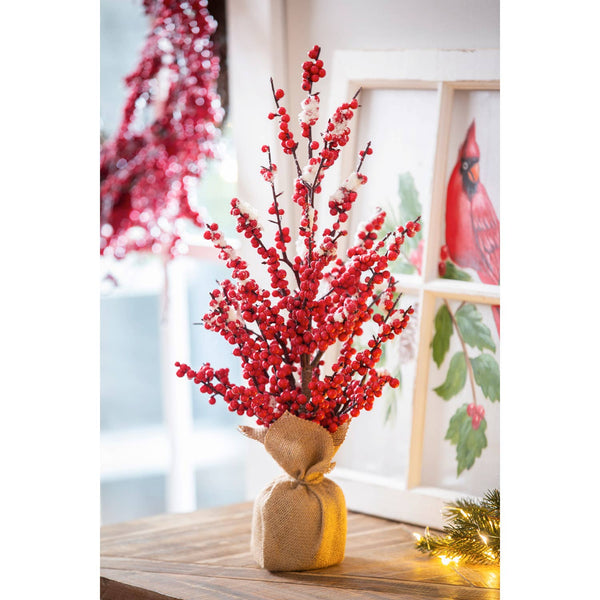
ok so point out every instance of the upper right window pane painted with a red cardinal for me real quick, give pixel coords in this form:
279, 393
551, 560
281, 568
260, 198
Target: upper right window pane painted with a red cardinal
471, 229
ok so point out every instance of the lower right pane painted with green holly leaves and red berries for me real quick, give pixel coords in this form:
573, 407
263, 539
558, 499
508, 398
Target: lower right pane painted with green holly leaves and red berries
462, 423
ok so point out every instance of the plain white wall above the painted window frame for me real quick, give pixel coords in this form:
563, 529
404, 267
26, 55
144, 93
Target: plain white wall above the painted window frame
383, 25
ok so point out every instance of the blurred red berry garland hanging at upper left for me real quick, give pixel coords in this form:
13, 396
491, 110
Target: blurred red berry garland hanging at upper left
146, 168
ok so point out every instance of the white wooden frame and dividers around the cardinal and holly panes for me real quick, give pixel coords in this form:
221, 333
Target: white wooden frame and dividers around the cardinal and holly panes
444, 71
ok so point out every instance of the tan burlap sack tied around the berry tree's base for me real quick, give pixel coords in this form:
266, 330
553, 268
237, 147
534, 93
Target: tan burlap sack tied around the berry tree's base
299, 519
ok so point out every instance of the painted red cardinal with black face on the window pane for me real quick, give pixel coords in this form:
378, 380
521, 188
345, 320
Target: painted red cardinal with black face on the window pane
472, 226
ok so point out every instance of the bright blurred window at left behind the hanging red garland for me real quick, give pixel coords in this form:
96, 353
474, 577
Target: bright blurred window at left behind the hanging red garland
161, 444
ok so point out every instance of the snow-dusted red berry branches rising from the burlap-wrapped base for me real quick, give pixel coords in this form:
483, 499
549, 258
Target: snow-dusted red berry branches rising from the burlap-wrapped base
317, 300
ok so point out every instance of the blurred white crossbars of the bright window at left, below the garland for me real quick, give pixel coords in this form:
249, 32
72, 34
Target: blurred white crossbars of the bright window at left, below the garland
176, 448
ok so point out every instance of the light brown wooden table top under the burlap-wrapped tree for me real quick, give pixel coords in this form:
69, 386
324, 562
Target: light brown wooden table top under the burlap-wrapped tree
206, 555
